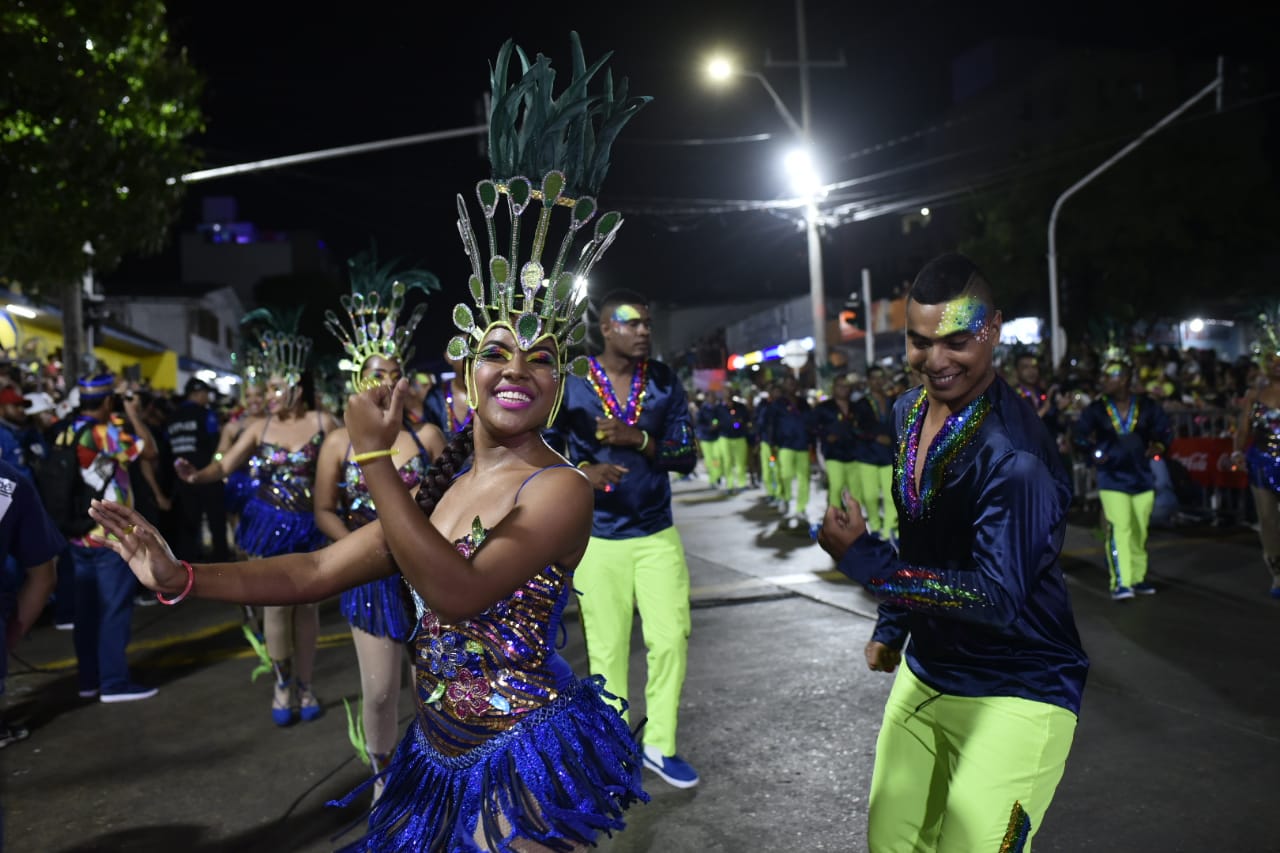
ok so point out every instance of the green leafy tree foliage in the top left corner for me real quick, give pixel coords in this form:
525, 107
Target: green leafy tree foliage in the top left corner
95, 112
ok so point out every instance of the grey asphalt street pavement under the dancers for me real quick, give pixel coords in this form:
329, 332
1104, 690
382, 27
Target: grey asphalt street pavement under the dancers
1178, 746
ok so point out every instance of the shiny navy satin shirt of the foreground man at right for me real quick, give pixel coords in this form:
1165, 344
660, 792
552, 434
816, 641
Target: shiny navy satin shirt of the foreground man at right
977, 583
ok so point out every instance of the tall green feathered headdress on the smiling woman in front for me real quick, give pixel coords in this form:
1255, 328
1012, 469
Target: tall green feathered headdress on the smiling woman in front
564, 143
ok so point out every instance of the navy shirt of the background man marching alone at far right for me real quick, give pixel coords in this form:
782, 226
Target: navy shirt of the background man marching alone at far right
1121, 457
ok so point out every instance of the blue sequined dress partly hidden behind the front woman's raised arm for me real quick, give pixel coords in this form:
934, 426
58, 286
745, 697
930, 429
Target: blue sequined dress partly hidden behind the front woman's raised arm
377, 608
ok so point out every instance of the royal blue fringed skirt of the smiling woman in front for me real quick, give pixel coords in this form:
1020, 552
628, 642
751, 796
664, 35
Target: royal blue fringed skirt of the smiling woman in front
561, 777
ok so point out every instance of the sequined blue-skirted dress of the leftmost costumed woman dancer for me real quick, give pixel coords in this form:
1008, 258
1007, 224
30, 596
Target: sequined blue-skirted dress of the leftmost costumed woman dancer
280, 518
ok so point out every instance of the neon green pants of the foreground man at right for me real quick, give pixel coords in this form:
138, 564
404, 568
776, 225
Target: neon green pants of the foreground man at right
950, 770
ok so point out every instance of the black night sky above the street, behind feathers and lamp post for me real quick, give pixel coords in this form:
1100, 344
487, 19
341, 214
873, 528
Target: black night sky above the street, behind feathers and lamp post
284, 81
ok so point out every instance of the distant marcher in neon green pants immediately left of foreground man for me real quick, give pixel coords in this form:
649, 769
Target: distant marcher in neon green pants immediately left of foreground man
874, 457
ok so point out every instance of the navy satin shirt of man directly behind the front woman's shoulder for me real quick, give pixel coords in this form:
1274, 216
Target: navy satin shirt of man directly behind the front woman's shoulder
641, 504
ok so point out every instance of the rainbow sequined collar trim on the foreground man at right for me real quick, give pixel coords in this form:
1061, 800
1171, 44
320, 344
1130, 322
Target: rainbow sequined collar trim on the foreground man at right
957, 432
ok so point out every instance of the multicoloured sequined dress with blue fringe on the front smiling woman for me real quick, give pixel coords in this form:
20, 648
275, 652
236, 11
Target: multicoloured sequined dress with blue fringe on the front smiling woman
506, 743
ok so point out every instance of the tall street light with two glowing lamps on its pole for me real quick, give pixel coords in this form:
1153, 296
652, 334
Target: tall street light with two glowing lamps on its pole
808, 186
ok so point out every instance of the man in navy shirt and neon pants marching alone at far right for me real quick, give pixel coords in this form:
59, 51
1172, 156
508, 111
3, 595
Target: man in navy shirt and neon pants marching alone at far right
1119, 434
